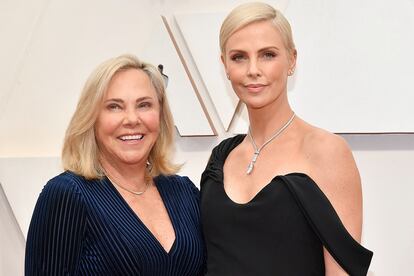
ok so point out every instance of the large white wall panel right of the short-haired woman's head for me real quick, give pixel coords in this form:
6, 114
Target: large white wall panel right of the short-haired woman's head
354, 72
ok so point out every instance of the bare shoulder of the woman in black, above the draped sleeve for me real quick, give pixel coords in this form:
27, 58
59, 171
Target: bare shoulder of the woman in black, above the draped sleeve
333, 168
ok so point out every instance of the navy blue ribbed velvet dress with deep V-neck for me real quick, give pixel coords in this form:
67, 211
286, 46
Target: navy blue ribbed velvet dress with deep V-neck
85, 227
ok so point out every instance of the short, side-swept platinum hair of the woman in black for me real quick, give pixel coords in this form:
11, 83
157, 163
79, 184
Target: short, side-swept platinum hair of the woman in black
246, 14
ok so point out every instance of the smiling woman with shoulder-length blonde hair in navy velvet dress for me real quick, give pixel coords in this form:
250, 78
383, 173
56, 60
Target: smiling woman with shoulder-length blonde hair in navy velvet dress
118, 209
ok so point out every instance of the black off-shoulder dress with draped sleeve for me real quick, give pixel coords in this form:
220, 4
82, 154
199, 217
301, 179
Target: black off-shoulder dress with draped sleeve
281, 231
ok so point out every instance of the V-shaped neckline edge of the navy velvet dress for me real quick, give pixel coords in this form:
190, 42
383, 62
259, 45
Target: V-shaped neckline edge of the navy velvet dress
144, 226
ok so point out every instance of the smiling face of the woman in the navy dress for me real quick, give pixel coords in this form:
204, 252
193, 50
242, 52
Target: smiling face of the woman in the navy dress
129, 119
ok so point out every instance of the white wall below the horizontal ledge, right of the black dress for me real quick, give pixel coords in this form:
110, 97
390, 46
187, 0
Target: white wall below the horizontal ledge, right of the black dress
386, 163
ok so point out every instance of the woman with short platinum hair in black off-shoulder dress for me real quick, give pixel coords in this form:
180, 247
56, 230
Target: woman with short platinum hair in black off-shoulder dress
286, 198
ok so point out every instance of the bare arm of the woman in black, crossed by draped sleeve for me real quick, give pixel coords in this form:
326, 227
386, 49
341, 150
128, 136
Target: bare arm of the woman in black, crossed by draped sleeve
335, 171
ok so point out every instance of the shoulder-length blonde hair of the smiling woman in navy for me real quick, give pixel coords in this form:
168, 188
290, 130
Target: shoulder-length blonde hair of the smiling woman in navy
81, 153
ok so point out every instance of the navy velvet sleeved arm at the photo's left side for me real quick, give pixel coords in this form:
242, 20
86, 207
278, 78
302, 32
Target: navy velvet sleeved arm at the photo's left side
54, 240
